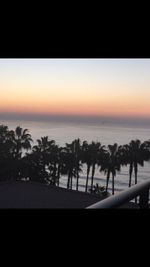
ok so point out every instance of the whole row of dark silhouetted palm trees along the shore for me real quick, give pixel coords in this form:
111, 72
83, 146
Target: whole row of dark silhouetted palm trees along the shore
47, 162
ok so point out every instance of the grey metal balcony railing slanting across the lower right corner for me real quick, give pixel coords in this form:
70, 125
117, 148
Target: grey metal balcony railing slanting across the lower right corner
116, 201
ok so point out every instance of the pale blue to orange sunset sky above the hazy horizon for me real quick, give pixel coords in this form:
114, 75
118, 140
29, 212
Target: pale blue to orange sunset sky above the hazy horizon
81, 87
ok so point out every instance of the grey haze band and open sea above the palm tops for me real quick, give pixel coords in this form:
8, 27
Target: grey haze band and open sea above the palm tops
66, 128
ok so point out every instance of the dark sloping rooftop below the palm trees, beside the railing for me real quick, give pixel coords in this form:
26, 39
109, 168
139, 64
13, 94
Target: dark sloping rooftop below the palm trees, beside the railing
35, 195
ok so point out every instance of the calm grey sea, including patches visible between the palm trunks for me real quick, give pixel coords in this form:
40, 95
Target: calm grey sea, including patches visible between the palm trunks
63, 132
